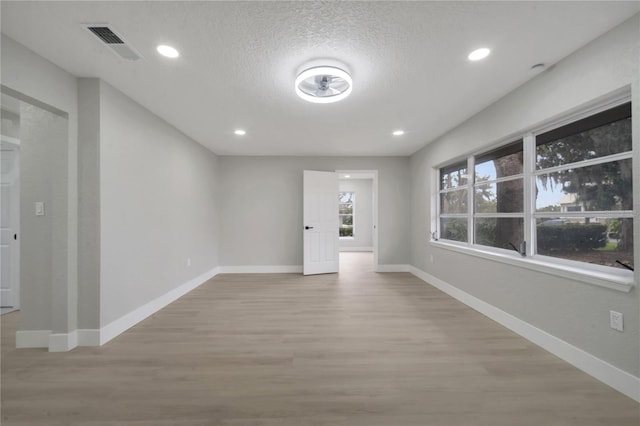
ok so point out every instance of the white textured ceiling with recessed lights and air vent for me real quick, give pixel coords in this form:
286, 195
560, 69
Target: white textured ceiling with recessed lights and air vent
239, 60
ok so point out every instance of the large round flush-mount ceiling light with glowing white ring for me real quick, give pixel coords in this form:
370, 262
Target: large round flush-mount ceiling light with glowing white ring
323, 85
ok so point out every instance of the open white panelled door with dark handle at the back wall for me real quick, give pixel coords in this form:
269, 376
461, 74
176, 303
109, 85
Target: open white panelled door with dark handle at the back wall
320, 222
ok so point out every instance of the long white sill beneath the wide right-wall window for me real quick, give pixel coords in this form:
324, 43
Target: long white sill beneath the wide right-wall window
621, 281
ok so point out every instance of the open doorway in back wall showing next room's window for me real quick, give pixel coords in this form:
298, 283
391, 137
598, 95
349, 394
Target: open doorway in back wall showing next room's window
358, 211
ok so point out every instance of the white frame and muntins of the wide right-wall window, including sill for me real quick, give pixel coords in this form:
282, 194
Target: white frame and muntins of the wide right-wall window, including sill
595, 274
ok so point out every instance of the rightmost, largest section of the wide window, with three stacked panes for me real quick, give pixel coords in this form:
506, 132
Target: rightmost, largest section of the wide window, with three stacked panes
583, 170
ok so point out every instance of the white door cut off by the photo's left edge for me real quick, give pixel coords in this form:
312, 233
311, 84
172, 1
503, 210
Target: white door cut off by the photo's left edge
9, 225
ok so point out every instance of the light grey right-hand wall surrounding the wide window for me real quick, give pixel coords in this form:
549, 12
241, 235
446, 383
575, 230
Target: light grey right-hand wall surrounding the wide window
575, 312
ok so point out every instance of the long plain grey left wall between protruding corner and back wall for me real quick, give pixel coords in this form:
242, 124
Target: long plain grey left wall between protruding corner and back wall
157, 207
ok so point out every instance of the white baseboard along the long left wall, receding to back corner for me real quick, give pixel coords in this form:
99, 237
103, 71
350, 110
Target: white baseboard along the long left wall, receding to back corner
122, 324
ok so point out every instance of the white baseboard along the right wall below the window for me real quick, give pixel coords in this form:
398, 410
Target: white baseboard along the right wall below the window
611, 375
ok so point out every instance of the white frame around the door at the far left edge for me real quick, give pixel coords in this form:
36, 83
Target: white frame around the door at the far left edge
15, 224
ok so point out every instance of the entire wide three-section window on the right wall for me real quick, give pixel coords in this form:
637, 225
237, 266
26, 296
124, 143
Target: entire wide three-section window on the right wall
564, 193
